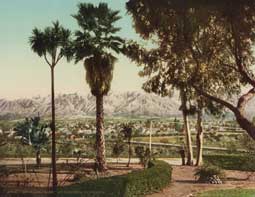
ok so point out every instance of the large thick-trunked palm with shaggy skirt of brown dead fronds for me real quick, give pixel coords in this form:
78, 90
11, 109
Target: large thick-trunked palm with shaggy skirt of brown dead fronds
94, 45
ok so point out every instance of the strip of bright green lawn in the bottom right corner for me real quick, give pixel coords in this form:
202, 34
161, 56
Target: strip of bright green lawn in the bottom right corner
229, 193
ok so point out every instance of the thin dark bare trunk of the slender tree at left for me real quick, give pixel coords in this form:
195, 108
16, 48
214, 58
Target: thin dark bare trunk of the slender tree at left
53, 129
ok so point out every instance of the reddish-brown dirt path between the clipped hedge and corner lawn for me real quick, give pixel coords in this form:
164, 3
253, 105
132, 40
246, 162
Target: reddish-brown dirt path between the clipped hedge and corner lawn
184, 184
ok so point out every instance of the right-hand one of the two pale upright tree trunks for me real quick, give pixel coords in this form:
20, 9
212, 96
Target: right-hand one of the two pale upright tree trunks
199, 137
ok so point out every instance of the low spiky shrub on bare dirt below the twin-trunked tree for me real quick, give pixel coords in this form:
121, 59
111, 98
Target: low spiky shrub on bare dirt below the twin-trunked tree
205, 172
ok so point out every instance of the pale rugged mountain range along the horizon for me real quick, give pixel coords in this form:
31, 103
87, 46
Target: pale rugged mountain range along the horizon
115, 104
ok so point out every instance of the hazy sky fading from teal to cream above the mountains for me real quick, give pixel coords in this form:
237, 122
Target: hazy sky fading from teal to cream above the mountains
24, 74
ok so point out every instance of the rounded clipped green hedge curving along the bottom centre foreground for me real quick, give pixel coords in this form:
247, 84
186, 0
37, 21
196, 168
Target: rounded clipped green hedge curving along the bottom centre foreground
136, 183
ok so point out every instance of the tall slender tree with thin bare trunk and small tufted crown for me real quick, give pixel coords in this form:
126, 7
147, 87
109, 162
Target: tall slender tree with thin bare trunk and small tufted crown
51, 44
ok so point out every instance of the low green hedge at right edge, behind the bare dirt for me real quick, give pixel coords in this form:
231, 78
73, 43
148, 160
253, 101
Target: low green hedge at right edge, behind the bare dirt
243, 162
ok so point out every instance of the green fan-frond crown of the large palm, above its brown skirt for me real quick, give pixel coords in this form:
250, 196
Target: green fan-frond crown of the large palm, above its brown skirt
97, 25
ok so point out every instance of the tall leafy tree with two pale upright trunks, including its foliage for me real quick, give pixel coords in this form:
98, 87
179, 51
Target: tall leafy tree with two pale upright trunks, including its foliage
182, 41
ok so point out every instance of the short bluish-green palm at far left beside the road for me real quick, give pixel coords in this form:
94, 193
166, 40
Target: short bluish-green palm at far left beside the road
33, 133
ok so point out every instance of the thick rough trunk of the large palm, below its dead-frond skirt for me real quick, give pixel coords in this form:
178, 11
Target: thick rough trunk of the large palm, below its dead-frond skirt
100, 142
